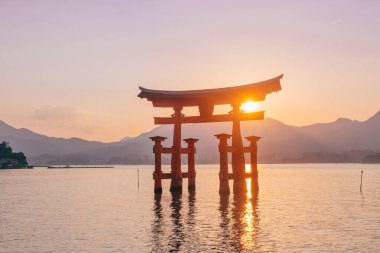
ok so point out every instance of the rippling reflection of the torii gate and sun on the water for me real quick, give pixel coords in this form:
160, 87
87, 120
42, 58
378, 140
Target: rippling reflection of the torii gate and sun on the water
238, 223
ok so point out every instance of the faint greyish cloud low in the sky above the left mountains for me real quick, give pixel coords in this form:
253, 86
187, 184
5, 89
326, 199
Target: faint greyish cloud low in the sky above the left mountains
56, 113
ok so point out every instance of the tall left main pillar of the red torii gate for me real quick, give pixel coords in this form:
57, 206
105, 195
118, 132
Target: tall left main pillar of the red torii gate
176, 182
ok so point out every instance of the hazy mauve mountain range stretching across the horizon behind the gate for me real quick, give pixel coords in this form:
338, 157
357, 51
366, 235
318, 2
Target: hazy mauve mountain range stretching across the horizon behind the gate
343, 140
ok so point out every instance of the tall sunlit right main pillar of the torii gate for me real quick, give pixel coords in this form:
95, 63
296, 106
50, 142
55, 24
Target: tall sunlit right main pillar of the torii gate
238, 163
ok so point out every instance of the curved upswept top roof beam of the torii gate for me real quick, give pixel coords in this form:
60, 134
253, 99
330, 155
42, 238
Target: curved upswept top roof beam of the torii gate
218, 96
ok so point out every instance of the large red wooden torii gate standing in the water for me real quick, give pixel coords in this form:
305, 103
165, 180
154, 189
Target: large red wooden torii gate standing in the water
205, 100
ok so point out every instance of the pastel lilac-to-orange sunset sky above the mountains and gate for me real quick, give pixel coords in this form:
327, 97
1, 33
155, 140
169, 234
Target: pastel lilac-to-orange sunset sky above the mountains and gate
72, 68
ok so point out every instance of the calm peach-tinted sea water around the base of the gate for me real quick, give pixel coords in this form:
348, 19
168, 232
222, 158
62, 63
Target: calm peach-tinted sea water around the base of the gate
299, 208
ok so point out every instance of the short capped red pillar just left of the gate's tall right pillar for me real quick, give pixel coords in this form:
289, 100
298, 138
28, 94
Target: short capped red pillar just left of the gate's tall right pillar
224, 187
